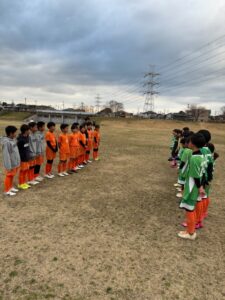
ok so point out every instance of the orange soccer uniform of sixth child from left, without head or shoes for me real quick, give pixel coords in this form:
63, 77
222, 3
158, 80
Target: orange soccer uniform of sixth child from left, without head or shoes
64, 151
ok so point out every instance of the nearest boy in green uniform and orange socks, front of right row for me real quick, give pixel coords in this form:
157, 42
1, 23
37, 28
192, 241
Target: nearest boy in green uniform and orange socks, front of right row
193, 185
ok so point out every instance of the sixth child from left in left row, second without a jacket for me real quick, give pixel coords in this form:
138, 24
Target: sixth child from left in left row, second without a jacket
64, 150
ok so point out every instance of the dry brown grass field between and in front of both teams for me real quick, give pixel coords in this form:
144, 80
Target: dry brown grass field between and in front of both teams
110, 232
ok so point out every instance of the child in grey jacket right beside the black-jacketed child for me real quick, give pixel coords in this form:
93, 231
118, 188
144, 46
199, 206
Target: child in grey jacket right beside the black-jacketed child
33, 152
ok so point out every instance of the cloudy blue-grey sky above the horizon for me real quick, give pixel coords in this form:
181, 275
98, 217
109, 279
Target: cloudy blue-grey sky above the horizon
68, 51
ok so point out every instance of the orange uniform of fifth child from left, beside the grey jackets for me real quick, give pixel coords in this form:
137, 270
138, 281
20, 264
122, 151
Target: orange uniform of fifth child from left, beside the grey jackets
51, 150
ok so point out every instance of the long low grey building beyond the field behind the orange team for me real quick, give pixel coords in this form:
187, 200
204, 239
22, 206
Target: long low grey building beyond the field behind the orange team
60, 116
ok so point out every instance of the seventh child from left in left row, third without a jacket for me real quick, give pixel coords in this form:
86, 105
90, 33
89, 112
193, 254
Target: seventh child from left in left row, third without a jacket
74, 148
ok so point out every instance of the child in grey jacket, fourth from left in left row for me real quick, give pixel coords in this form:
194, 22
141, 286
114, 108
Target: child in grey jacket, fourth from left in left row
40, 150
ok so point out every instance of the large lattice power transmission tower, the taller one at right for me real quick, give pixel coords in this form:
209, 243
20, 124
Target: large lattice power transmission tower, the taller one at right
150, 91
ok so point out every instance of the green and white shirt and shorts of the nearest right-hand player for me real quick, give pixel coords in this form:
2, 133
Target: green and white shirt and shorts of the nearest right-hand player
196, 171
